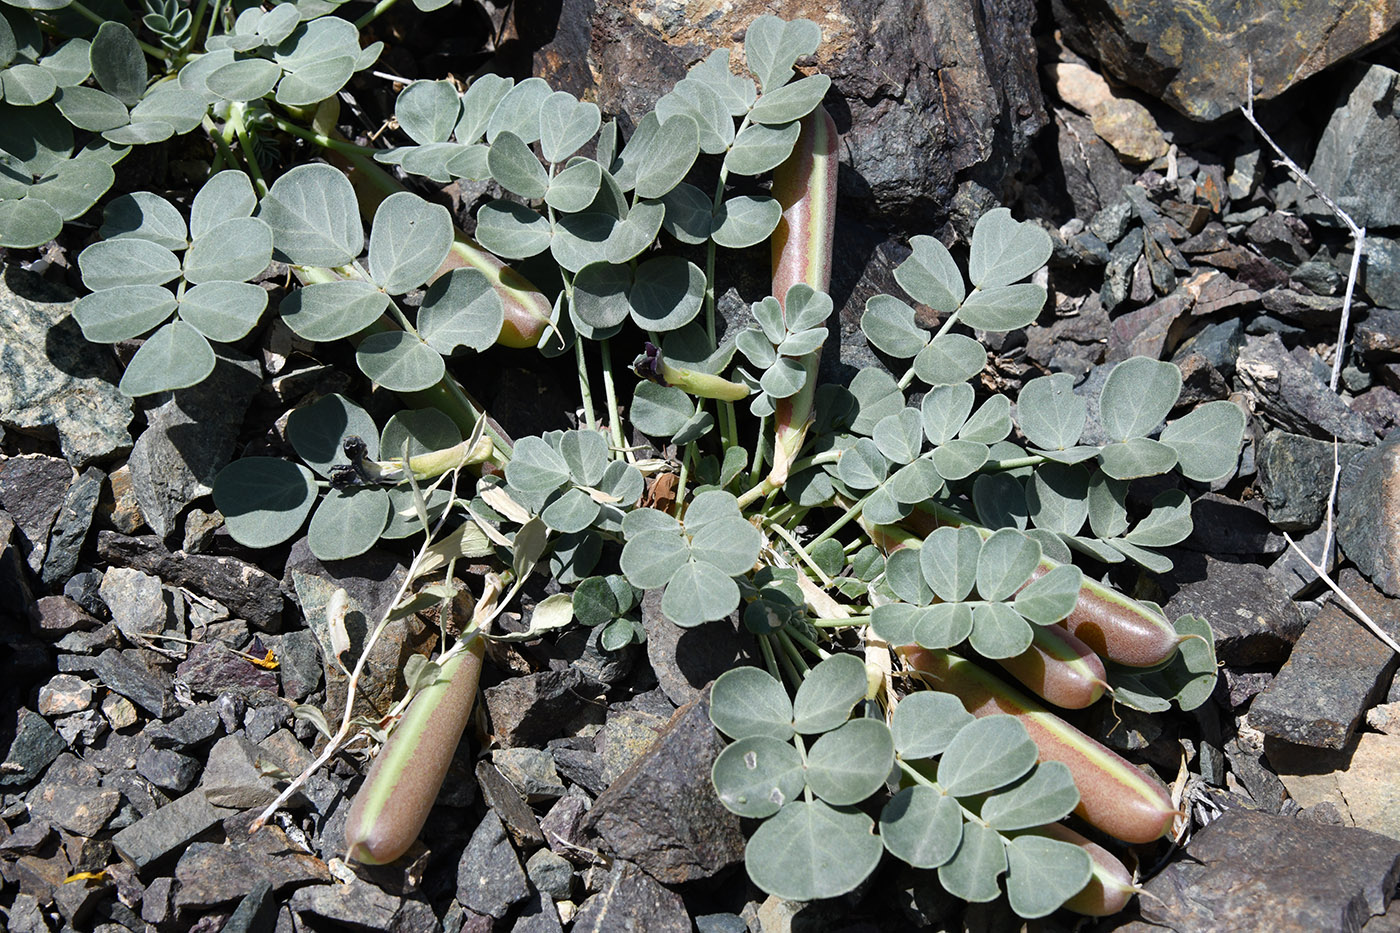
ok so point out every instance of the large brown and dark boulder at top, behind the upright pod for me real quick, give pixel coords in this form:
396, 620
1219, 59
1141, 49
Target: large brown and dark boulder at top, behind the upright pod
909, 132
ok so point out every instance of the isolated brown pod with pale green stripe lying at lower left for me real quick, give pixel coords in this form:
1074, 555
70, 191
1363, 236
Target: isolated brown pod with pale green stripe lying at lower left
397, 796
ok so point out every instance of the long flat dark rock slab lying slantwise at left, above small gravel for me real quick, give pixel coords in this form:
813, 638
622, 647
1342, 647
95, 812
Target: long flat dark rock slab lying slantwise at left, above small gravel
247, 590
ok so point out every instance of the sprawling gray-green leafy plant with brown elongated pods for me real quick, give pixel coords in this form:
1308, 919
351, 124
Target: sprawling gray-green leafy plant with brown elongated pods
925, 527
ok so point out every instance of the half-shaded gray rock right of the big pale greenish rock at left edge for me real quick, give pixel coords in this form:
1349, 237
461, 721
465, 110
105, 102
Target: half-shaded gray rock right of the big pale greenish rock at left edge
190, 438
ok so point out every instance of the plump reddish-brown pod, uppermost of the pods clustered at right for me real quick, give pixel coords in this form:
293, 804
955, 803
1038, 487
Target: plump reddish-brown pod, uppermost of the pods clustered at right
1116, 627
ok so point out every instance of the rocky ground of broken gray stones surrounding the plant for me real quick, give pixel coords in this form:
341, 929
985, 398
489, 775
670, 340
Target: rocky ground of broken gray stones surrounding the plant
582, 799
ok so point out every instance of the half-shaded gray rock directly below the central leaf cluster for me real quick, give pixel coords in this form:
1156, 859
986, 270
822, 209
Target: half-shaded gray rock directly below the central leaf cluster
685, 661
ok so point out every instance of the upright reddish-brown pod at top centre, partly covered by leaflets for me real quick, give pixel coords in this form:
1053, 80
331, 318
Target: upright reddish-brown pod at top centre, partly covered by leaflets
806, 186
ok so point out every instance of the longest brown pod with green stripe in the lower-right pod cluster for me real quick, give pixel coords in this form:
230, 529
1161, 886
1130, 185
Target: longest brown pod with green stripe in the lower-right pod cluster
1115, 795
